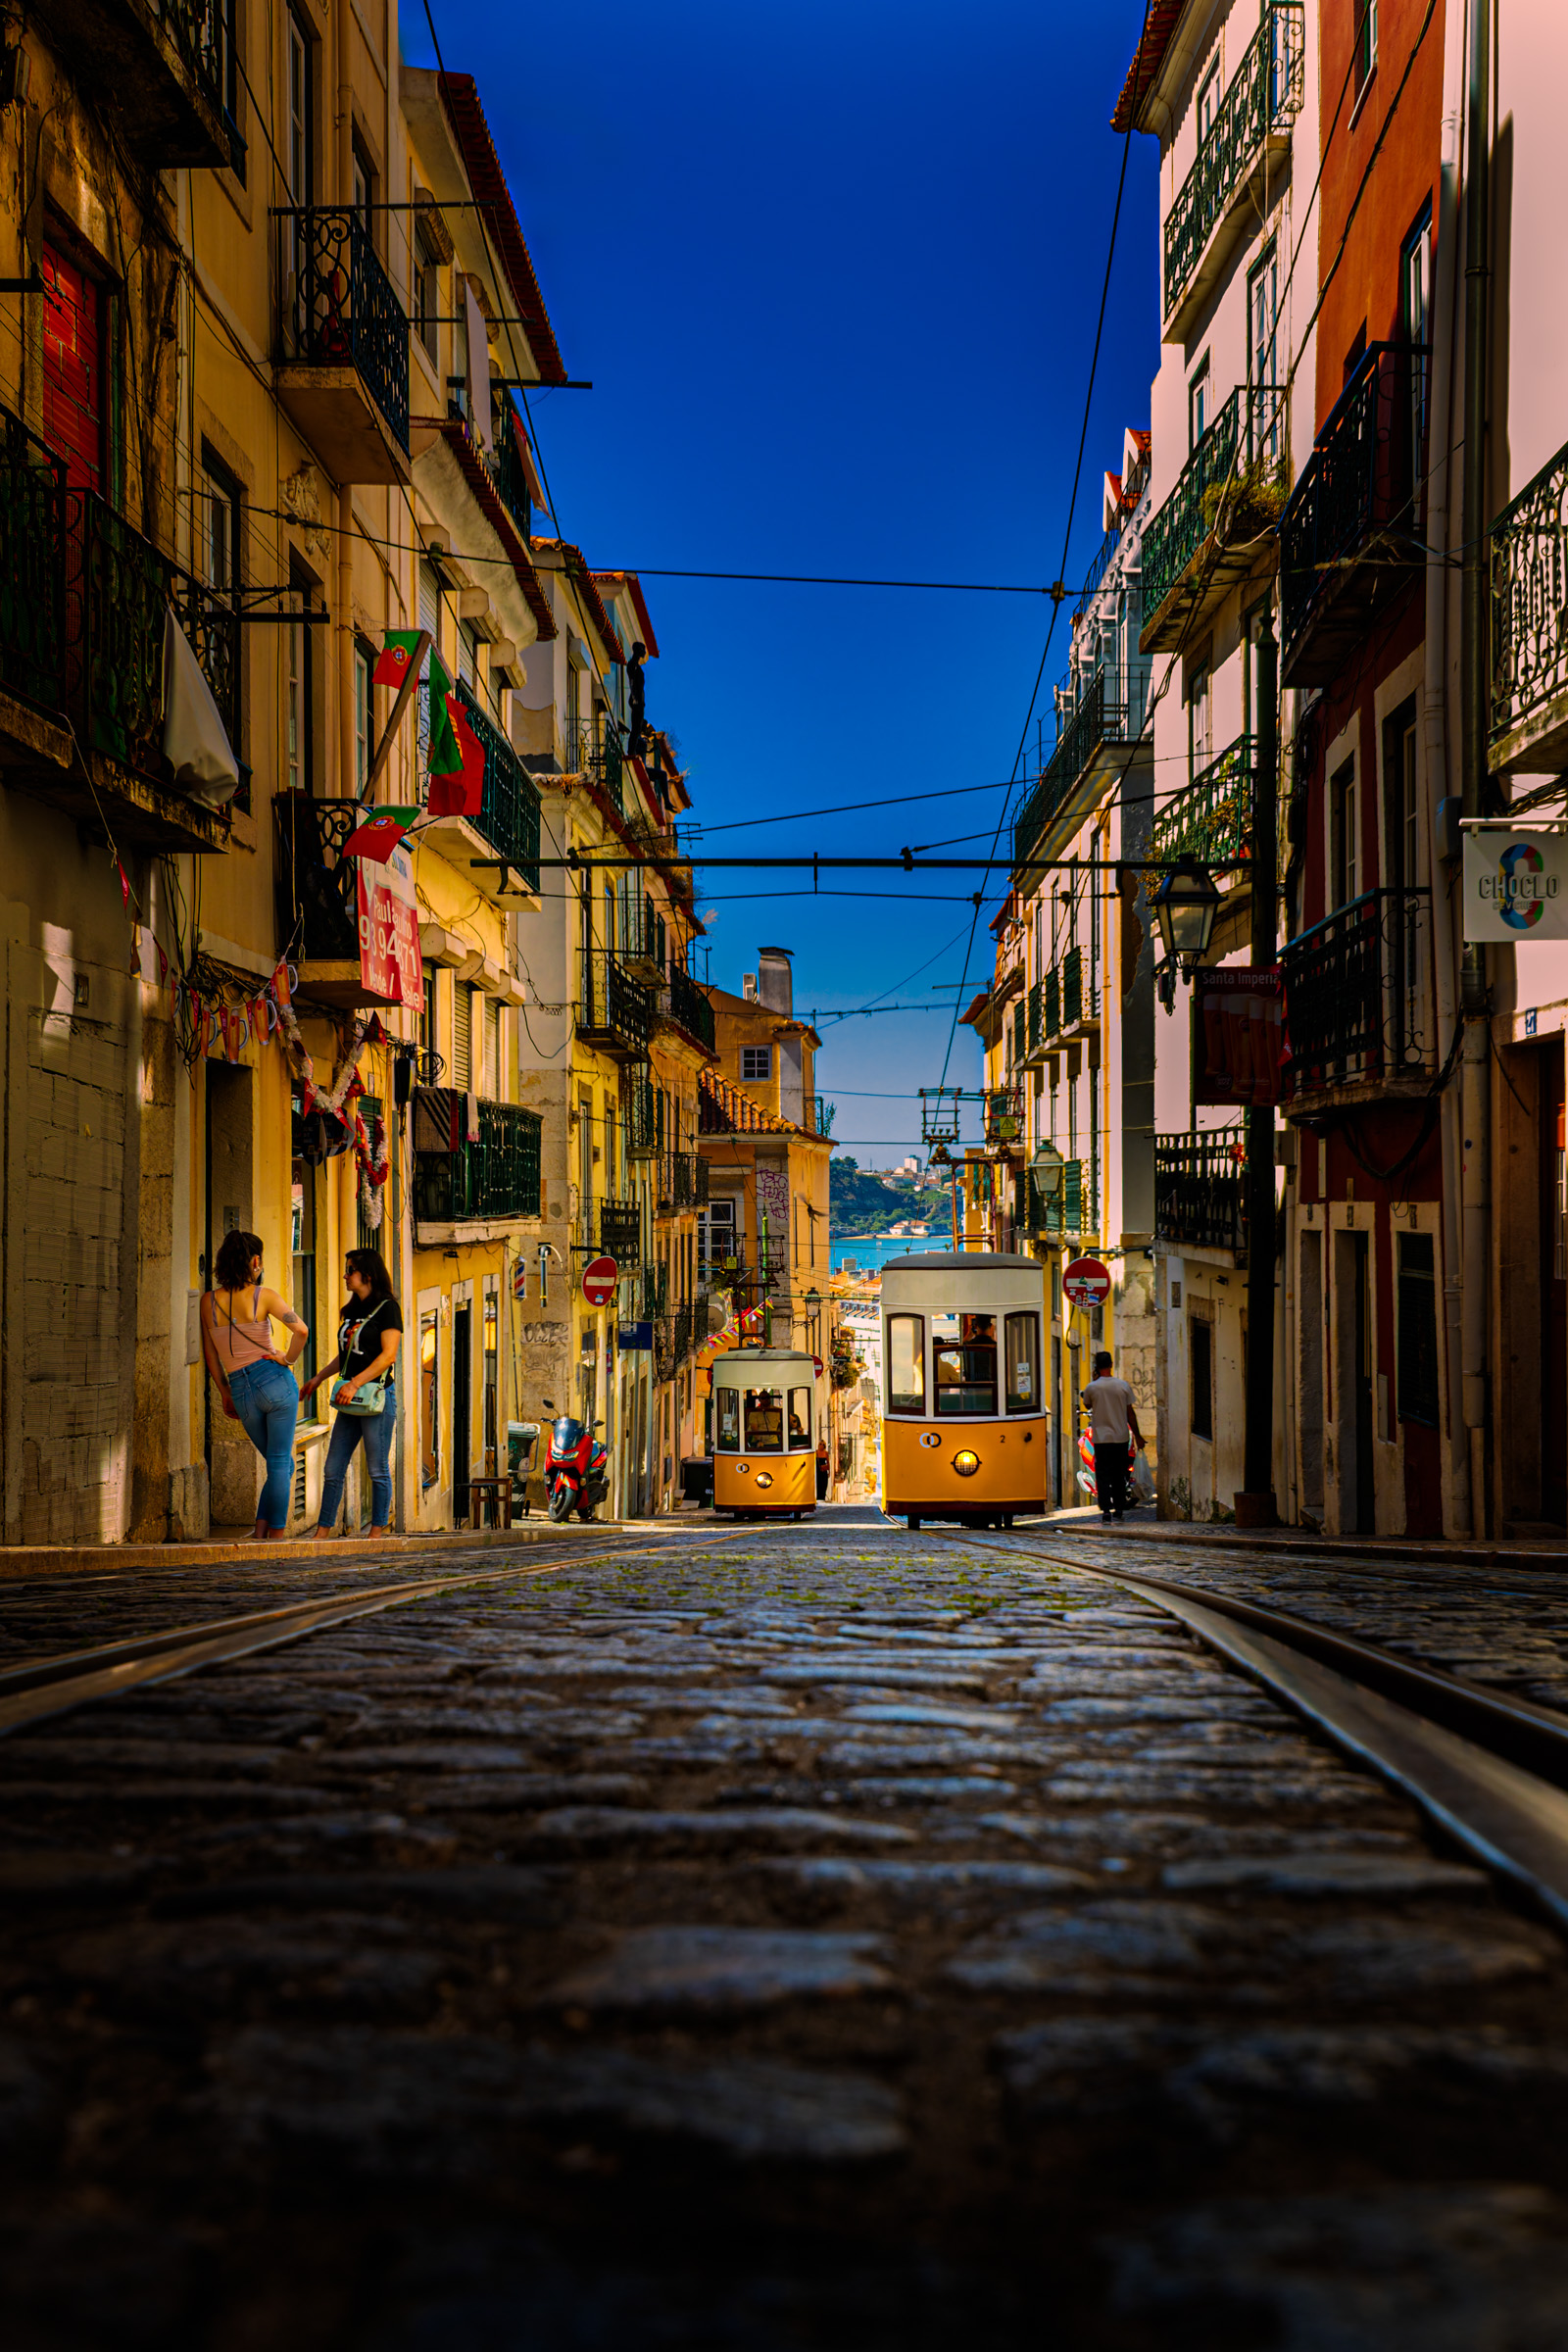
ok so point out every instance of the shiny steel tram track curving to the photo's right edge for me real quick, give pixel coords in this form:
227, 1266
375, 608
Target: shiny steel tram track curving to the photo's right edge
1492, 1772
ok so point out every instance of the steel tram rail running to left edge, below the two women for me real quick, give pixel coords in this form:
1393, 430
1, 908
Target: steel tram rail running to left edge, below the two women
53, 1685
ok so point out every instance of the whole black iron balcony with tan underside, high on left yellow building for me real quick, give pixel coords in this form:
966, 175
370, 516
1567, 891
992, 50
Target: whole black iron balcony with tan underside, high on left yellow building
344, 345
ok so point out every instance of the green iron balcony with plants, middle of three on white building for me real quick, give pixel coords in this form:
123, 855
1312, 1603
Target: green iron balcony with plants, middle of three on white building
1205, 537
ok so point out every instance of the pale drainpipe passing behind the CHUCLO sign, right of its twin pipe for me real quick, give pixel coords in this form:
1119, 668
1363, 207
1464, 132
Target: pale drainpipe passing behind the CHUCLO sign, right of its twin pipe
1475, 1097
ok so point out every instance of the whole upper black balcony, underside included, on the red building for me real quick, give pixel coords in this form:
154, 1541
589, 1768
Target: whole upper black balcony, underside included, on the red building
1351, 533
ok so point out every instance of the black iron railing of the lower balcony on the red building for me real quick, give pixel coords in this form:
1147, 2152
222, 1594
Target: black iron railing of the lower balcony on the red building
1360, 996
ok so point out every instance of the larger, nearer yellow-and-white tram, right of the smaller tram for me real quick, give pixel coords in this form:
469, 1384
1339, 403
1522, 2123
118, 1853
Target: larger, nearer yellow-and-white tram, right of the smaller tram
963, 1391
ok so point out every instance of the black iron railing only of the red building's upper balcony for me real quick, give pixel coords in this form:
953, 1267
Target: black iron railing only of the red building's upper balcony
1360, 481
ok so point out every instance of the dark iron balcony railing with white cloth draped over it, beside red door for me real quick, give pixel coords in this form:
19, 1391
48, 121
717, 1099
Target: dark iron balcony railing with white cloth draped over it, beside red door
119, 589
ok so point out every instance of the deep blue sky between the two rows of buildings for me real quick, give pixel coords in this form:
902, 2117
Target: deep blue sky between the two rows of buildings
833, 274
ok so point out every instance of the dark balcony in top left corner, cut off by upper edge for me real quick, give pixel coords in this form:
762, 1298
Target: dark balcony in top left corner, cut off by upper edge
163, 65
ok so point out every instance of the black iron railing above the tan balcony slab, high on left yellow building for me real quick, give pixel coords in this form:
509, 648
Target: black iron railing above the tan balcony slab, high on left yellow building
340, 307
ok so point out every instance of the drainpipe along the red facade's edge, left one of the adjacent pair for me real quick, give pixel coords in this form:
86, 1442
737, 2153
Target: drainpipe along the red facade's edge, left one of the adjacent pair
1435, 742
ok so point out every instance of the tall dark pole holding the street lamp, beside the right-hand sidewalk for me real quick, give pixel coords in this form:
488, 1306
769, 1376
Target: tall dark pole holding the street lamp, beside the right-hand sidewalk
1257, 1499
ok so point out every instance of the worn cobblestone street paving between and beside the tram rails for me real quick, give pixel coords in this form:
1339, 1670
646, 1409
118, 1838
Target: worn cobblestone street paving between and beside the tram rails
819, 1937
